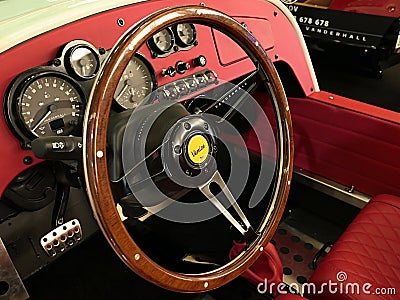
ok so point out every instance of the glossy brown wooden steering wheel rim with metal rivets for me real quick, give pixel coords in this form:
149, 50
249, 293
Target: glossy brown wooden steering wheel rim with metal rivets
95, 162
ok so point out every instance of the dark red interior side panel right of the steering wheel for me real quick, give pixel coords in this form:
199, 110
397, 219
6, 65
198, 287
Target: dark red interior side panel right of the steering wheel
344, 144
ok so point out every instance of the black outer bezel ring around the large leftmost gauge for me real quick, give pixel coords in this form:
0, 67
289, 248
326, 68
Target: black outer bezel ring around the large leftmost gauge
13, 97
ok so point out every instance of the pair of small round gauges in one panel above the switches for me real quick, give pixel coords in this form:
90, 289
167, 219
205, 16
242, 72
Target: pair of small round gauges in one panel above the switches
172, 39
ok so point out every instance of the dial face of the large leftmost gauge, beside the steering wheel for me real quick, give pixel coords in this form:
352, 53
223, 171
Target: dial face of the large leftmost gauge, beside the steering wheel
47, 104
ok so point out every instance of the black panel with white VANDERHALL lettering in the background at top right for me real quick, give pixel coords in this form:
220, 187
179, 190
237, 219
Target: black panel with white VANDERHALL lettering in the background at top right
319, 22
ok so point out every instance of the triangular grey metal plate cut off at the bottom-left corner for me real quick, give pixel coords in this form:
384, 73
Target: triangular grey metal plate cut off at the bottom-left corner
11, 285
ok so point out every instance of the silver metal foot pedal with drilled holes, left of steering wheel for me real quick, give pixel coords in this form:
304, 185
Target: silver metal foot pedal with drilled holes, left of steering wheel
62, 237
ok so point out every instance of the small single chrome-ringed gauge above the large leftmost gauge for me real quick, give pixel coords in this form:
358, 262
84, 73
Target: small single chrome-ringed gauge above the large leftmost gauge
83, 61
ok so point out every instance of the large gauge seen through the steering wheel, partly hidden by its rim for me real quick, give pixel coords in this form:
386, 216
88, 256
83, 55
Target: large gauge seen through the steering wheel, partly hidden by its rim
137, 81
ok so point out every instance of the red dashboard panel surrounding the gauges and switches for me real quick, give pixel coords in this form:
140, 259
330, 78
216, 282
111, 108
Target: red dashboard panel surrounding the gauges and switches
103, 30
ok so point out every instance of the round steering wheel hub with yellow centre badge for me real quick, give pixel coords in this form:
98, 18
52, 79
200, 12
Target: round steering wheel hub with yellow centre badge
188, 151
